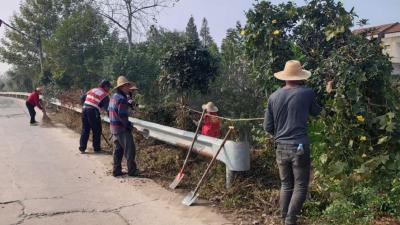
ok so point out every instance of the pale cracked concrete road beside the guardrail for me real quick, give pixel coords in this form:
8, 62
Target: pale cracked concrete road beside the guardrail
45, 180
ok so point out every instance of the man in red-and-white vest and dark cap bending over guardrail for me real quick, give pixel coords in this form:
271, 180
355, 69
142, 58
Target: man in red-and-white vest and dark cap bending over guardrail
94, 101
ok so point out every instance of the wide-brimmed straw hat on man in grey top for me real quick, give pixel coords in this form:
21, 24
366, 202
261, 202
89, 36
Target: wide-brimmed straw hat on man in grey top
293, 71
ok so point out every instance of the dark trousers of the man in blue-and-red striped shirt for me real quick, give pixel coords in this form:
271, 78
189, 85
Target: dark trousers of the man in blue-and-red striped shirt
124, 144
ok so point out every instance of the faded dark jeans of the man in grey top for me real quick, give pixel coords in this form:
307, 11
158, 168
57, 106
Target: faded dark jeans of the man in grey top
294, 172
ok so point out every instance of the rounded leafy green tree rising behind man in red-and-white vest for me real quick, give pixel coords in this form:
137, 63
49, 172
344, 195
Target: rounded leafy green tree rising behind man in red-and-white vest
76, 49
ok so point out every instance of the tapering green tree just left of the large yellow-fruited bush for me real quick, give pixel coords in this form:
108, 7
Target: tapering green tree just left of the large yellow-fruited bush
234, 89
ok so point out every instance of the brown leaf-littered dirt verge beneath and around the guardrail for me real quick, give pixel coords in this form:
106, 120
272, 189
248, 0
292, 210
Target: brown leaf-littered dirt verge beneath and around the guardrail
252, 200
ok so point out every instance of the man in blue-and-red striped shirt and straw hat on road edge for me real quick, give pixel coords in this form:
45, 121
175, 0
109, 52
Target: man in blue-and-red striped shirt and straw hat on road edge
121, 128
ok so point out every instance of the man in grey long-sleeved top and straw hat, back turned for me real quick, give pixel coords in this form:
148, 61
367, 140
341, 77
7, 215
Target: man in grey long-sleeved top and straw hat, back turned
286, 119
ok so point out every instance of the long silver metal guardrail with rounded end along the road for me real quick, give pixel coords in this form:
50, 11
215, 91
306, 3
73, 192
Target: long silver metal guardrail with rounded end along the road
235, 155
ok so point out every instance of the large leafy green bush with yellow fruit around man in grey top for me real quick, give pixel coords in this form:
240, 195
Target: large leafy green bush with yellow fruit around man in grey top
355, 140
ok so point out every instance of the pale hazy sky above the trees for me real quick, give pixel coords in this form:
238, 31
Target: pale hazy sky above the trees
223, 14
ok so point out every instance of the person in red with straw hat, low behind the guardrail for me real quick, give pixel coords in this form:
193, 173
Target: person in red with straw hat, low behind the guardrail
211, 124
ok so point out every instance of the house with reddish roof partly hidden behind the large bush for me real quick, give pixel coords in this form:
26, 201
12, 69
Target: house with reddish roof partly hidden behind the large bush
390, 34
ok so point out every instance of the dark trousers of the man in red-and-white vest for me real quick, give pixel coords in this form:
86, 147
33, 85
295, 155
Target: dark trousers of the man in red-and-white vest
90, 121
